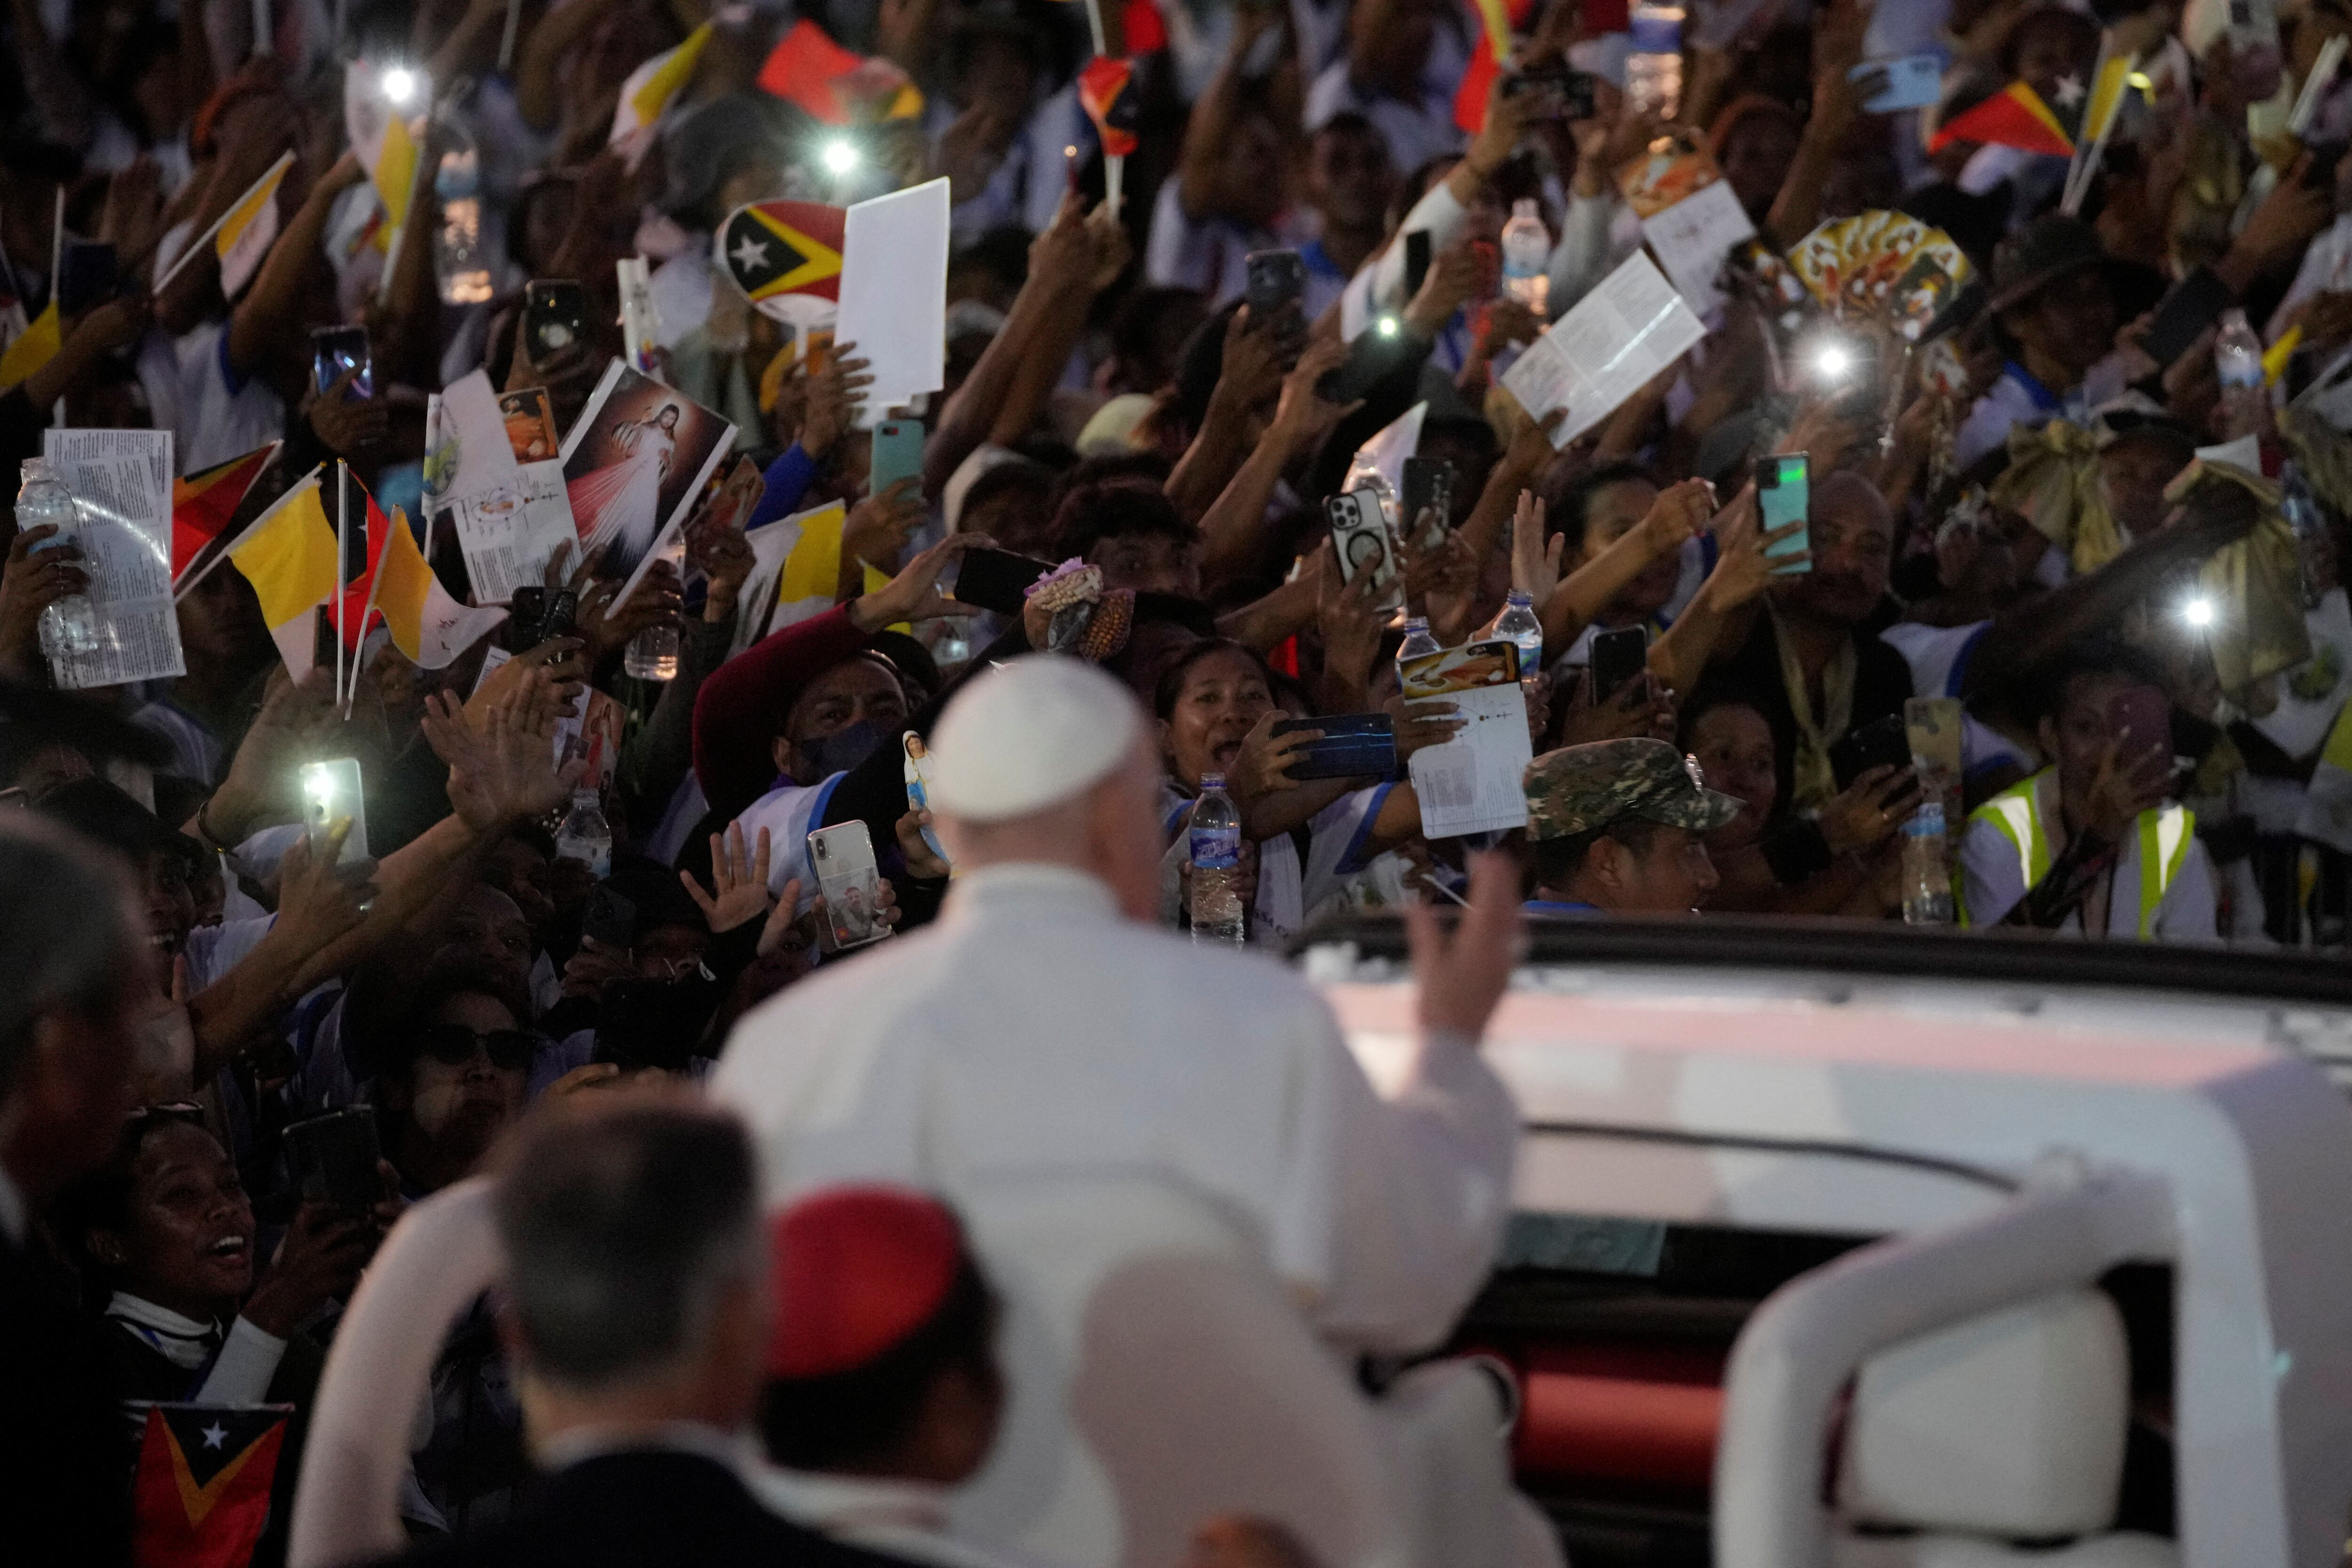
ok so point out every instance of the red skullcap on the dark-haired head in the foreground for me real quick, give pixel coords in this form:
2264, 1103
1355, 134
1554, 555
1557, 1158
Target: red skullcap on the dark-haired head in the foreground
857, 1273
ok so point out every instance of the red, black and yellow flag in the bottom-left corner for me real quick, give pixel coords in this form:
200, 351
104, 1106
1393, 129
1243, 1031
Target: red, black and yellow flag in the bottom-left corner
203, 1485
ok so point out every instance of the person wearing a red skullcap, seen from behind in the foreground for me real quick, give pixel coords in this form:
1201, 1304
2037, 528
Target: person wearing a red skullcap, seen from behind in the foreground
883, 1383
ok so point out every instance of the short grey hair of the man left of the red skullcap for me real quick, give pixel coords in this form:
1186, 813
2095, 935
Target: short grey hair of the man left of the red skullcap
622, 1228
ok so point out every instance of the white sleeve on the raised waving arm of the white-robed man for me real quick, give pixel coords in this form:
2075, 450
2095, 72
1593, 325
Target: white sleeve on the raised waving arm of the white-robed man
1396, 1205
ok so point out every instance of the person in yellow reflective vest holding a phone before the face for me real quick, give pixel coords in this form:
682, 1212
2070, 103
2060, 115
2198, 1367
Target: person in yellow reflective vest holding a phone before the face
2092, 845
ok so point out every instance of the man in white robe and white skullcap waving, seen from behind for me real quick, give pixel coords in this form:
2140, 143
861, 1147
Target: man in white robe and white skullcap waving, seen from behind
1048, 1031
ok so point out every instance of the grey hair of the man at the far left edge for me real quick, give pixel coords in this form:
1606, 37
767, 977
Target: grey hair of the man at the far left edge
69, 937
